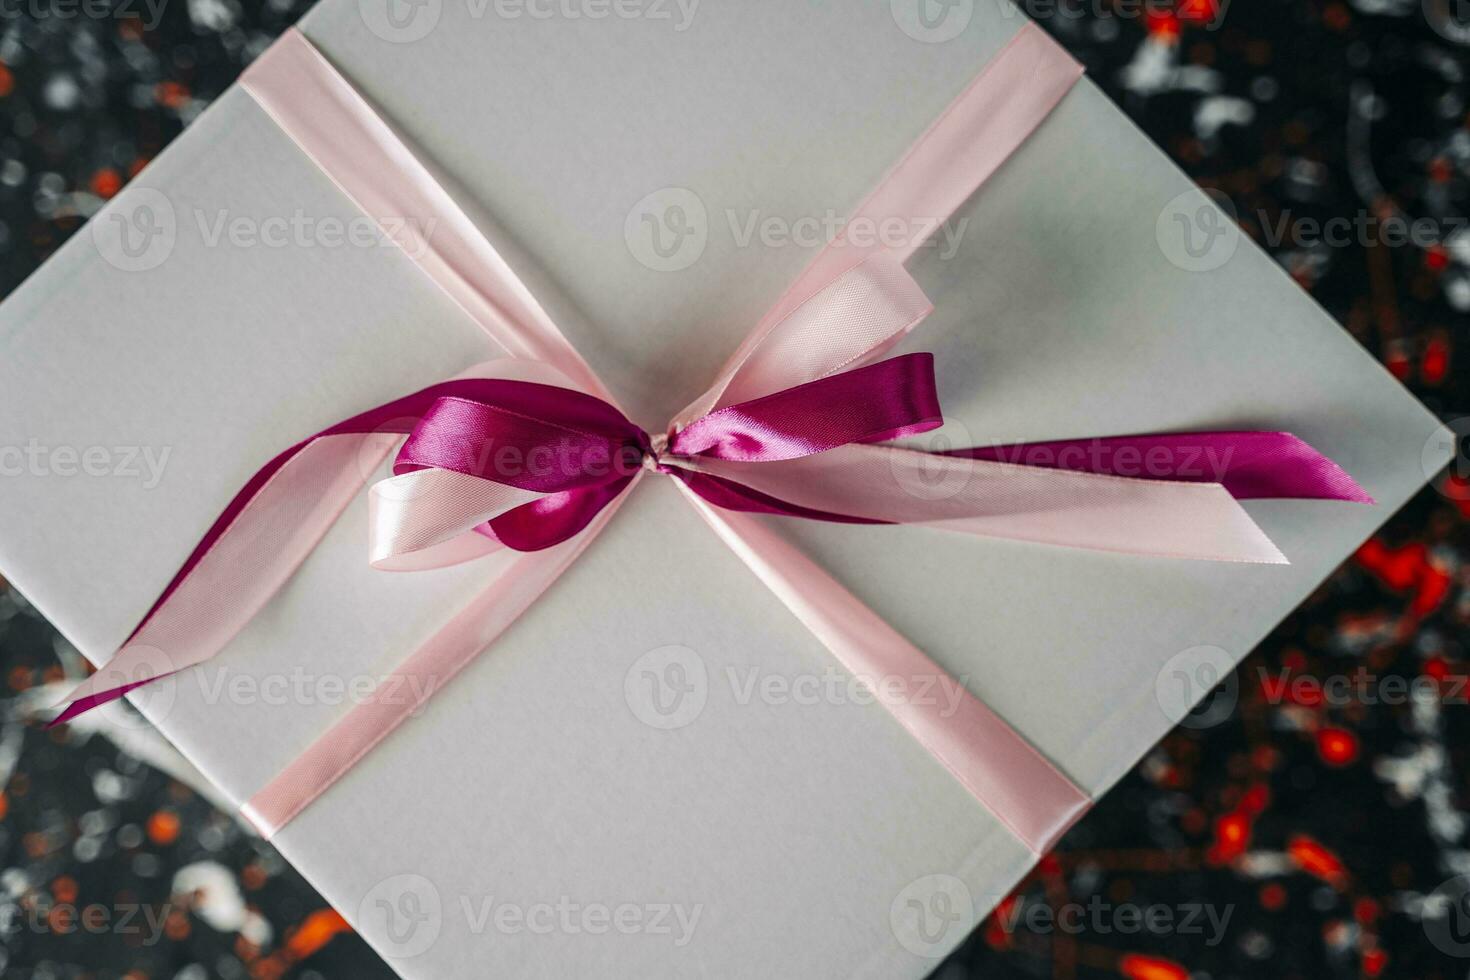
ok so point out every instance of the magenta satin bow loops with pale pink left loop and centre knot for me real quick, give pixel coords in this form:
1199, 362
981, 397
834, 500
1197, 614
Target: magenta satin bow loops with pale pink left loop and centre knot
545, 461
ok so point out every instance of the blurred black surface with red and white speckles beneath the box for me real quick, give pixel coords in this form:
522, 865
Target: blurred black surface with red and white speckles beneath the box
1303, 819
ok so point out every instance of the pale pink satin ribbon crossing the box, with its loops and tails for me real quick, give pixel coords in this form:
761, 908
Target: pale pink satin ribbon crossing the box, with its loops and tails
849, 309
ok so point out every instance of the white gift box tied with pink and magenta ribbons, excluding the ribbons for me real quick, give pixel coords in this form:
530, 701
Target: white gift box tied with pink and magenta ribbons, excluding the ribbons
542, 816
